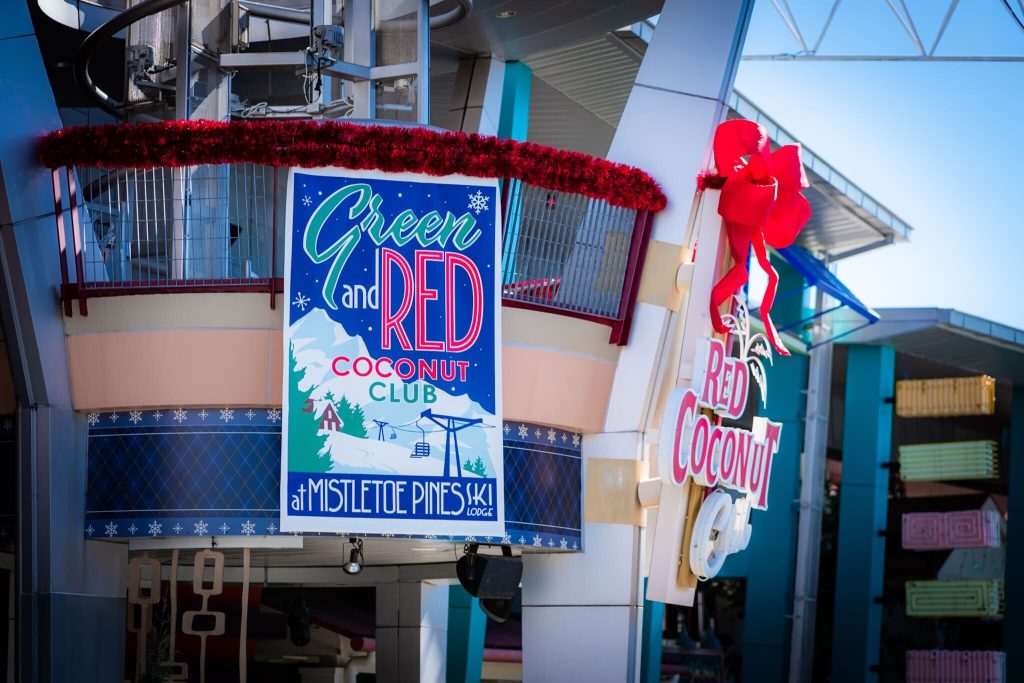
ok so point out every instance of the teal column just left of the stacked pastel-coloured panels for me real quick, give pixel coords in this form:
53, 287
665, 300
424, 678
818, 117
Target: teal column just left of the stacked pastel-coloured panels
864, 503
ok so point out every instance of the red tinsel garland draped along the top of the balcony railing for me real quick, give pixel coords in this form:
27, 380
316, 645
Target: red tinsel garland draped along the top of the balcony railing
309, 144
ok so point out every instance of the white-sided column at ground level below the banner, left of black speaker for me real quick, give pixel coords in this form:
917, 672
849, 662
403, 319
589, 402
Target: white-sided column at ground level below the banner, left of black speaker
412, 632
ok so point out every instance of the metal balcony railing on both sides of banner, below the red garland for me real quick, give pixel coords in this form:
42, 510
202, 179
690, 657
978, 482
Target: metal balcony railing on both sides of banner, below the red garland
217, 228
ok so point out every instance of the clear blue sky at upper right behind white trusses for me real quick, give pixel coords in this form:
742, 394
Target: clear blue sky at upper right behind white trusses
941, 145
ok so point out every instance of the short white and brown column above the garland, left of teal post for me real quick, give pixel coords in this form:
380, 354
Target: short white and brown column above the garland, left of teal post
478, 97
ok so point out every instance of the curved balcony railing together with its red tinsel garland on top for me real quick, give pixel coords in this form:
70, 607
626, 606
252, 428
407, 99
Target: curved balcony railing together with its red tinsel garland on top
200, 207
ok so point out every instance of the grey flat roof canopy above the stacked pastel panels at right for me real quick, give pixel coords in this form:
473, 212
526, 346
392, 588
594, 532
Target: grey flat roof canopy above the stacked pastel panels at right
950, 337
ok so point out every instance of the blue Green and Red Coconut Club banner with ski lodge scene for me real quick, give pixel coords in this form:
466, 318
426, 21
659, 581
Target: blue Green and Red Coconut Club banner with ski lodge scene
393, 355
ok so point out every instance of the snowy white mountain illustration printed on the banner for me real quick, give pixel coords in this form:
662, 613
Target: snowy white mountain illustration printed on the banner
317, 340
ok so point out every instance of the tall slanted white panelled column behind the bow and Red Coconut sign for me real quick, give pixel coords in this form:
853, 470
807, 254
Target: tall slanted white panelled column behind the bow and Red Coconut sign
582, 614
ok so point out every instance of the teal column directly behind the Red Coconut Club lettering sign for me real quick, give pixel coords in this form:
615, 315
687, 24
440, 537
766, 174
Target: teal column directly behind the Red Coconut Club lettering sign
770, 561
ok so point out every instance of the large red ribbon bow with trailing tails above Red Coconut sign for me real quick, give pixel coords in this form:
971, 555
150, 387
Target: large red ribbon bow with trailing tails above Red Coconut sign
761, 204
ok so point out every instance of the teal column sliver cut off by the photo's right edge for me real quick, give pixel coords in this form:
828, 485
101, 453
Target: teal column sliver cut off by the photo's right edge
1013, 623
